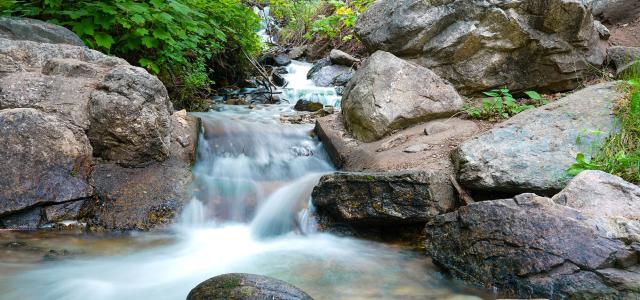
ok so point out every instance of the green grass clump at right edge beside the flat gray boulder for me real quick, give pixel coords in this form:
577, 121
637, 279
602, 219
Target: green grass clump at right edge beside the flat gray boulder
620, 153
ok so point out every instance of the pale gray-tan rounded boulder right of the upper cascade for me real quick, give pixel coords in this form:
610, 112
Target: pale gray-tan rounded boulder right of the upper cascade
388, 93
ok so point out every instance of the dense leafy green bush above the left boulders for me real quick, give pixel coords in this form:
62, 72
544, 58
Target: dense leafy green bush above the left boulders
178, 40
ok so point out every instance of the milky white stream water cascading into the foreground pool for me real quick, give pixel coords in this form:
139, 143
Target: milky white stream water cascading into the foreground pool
250, 213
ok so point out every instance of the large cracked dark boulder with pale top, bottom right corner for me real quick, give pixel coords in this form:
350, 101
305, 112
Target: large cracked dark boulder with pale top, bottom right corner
533, 247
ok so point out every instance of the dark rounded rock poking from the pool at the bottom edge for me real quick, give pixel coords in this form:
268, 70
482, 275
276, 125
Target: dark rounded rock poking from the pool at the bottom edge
240, 286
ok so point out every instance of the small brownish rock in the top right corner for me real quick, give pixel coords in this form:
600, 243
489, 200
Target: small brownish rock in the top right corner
616, 11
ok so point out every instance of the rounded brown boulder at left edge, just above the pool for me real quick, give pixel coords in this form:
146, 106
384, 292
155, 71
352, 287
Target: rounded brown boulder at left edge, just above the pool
46, 160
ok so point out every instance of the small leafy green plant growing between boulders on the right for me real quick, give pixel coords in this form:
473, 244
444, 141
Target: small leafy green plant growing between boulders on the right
500, 104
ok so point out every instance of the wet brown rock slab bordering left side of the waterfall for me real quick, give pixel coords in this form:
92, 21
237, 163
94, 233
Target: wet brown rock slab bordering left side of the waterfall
150, 197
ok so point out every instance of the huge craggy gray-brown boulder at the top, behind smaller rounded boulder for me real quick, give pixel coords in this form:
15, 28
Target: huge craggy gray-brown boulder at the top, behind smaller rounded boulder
477, 45
